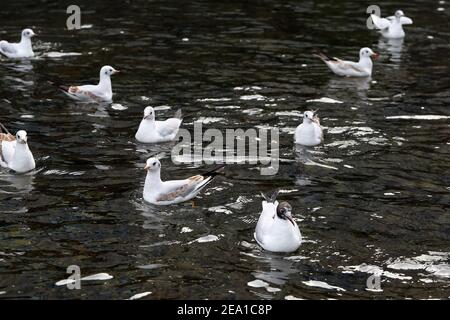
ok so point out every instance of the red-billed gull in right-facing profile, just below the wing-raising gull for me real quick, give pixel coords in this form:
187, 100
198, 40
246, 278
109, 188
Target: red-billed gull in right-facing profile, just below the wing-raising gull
362, 68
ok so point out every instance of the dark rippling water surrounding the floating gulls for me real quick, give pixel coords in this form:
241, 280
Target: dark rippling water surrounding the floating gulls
375, 196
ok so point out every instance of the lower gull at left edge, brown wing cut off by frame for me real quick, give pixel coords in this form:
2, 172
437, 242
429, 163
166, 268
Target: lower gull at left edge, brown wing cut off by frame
15, 153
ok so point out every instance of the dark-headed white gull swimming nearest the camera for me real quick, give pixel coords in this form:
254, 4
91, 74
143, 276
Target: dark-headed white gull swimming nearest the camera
276, 231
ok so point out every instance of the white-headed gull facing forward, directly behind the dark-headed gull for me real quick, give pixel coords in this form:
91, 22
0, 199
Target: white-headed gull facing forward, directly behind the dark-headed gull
309, 133
